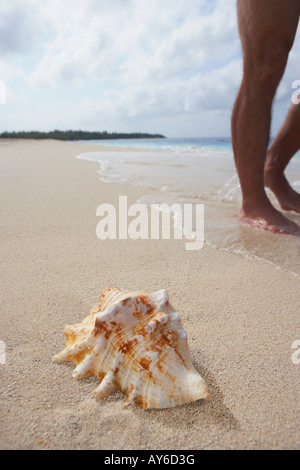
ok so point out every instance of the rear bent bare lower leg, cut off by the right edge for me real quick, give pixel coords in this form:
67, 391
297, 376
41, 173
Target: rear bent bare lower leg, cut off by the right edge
284, 146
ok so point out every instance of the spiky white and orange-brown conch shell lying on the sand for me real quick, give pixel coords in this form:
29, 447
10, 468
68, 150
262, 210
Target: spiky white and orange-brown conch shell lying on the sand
135, 342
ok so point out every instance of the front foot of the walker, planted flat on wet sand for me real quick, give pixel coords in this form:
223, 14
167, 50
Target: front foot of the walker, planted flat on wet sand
266, 217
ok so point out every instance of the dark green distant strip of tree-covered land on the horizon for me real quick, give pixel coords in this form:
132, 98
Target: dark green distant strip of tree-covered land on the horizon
77, 135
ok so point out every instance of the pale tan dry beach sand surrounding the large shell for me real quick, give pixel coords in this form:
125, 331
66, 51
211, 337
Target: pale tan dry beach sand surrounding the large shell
241, 316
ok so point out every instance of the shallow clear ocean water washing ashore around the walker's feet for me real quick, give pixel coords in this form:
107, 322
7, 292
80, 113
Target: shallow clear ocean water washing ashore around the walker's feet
199, 171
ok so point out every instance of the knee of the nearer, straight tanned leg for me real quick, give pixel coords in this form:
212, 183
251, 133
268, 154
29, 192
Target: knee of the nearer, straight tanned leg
263, 73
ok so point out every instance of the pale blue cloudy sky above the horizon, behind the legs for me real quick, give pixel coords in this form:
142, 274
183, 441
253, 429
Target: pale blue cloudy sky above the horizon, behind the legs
158, 66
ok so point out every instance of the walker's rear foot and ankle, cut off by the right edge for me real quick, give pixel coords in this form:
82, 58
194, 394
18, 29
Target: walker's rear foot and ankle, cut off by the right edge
288, 198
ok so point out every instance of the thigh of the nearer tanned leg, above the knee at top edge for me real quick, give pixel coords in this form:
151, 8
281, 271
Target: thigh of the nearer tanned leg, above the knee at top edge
267, 26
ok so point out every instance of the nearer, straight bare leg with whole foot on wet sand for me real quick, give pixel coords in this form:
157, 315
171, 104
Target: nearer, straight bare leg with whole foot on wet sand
267, 29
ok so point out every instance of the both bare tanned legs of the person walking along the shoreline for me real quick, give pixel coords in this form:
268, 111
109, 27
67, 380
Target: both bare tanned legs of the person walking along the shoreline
267, 30
